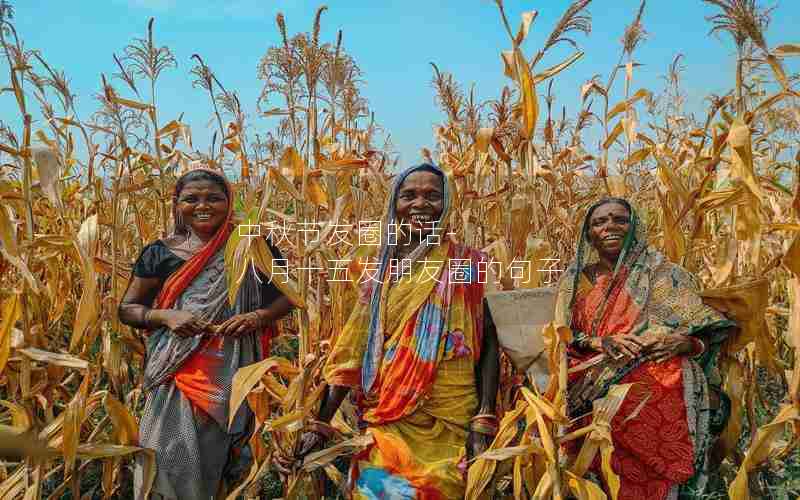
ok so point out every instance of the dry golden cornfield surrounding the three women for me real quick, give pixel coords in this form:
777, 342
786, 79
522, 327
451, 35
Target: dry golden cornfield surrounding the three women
81, 195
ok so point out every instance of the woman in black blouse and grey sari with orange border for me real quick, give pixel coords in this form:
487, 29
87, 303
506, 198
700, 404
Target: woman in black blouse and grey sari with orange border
197, 341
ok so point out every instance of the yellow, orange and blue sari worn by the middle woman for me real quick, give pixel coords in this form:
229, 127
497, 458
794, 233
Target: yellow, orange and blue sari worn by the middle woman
409, 350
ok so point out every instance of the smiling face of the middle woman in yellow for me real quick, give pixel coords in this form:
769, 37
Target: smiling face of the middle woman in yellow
420, 202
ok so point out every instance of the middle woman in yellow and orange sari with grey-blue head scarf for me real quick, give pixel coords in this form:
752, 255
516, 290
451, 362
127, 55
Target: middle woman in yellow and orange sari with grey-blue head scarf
420, 351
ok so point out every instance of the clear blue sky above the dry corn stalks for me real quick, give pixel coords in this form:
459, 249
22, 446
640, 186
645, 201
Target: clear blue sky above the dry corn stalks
392, 41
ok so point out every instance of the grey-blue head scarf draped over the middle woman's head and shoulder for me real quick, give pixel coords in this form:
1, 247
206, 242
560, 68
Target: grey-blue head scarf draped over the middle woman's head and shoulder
374, 352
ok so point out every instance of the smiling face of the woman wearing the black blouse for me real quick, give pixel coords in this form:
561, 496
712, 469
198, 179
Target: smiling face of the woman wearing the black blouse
203, 206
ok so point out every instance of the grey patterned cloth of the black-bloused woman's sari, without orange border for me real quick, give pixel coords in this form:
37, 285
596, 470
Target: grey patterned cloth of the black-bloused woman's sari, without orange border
194, 447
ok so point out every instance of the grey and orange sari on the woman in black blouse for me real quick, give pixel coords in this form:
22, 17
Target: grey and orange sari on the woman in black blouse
187, 381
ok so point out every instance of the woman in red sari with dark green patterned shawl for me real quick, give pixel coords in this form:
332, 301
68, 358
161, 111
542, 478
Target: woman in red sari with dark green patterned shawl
626, 301
